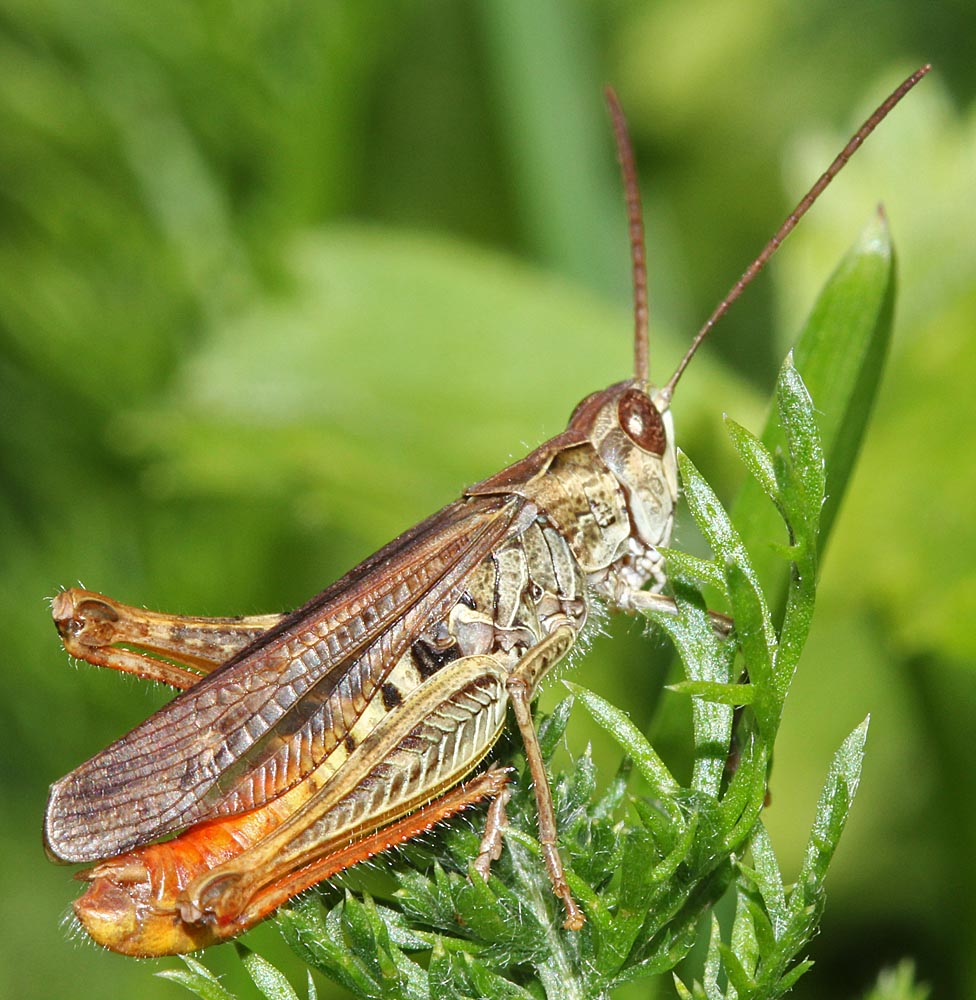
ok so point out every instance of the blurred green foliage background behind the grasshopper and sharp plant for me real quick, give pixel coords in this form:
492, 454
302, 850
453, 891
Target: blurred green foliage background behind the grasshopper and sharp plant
279, 279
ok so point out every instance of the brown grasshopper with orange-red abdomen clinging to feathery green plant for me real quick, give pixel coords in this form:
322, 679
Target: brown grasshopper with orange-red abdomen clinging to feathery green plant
303, 743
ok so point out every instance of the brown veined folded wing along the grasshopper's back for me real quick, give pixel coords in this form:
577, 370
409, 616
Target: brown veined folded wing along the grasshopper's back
258, 724
